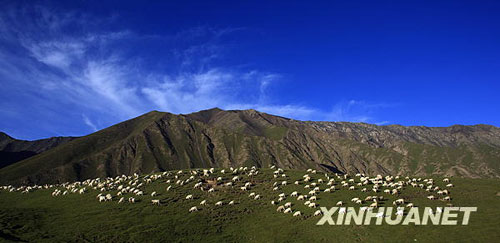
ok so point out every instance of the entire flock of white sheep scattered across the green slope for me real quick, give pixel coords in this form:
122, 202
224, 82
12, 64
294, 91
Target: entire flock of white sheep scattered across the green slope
133, 188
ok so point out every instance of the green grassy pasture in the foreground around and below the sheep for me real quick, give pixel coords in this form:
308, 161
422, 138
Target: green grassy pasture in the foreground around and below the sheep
39, 217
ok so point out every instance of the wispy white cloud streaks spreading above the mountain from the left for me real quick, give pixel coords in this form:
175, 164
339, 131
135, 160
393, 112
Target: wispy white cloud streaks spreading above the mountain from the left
86, 70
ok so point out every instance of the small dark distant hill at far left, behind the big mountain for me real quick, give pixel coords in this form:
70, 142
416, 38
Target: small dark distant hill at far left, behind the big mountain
13, 150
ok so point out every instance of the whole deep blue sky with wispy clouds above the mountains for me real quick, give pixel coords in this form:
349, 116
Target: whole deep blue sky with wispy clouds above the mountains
74, 67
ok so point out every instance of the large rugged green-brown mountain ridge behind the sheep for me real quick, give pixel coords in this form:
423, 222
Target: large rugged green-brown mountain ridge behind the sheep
159, 141
